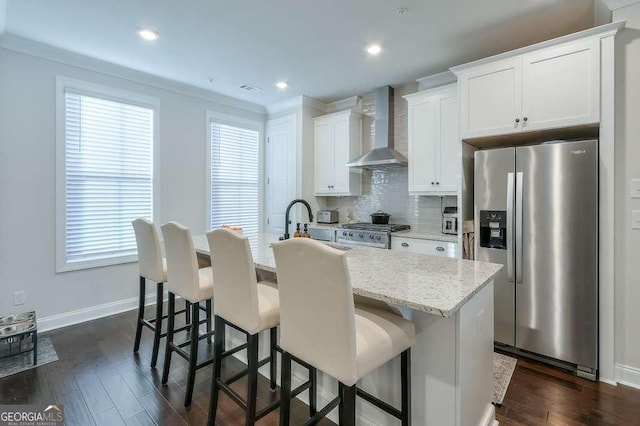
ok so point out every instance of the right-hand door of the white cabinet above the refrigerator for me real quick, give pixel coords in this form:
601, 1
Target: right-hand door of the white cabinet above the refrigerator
560, 86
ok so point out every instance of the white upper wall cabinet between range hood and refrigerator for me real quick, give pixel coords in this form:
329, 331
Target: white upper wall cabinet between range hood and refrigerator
434, 143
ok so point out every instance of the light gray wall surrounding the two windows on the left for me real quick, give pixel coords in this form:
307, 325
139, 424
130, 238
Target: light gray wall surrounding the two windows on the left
27, 181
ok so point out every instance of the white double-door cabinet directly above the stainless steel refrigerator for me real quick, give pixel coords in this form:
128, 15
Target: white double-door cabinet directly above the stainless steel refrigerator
544, 89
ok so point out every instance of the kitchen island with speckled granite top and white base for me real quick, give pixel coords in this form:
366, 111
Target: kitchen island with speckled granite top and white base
450, 302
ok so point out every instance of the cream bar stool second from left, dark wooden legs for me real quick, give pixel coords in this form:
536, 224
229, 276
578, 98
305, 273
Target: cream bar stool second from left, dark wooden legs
192, 284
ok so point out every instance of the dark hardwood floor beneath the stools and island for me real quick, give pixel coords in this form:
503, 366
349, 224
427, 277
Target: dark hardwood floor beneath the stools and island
100, 381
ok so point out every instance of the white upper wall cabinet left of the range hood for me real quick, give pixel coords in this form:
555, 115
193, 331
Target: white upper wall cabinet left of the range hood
336, 142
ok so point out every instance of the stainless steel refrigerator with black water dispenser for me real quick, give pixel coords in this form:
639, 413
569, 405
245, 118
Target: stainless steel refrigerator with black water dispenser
536, 212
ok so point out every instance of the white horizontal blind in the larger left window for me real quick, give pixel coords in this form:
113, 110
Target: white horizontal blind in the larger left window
108, 175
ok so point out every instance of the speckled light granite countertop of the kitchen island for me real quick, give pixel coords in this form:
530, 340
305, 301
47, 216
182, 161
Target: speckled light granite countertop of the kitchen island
432, 284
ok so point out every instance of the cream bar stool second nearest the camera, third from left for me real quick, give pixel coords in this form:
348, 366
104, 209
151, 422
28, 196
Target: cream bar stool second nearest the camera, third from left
250, 307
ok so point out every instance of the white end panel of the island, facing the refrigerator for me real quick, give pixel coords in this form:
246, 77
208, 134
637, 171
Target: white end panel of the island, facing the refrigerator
475, 360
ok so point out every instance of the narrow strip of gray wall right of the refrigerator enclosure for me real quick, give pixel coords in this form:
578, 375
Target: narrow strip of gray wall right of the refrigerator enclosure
627, 160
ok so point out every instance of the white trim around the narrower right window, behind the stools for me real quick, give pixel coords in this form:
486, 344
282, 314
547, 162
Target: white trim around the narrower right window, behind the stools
233, 120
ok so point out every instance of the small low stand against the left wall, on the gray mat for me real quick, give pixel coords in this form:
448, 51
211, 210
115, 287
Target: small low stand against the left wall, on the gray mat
18, 335
